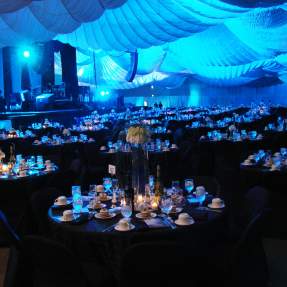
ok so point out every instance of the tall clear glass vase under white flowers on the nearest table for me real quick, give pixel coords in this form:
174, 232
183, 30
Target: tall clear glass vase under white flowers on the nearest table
140, 168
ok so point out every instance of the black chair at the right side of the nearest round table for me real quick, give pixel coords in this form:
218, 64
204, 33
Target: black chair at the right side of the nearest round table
242, 262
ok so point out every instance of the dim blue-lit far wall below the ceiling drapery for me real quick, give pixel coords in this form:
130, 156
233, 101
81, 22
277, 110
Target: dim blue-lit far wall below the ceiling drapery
199, 94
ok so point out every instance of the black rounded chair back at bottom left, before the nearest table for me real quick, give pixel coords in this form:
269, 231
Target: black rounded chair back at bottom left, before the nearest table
51, 263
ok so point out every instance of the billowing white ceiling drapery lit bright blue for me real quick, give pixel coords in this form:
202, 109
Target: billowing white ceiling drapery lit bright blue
225, 43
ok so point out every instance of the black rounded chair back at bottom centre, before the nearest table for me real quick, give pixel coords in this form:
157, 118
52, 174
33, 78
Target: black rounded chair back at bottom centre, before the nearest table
155, 264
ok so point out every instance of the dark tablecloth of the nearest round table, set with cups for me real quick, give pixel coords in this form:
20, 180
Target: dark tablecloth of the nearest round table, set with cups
94, 238
